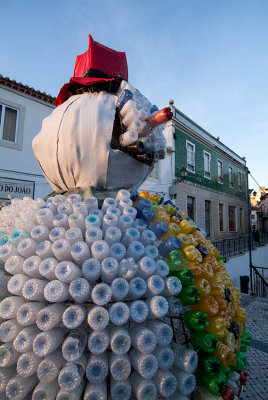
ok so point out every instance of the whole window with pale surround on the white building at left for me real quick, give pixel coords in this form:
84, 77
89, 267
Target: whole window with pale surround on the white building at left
11, 124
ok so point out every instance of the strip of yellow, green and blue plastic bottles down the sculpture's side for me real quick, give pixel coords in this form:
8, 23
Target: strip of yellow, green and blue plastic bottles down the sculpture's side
215, 318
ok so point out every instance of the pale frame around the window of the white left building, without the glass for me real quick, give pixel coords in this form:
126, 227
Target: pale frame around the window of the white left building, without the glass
17, 145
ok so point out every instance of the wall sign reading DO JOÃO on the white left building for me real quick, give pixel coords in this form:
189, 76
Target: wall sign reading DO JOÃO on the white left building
16, 188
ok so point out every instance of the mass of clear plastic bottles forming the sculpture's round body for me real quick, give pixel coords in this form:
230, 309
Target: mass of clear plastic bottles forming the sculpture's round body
86, 298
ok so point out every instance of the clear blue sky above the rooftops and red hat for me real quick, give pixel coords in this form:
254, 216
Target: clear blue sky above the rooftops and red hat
210, 56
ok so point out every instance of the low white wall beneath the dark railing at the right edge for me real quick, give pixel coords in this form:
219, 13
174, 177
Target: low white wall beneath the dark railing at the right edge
238, 266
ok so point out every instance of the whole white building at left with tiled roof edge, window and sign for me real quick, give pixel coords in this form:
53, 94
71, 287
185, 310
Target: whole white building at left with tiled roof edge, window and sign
22, 110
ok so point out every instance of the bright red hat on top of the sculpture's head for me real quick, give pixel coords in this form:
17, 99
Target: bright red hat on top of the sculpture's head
98, 64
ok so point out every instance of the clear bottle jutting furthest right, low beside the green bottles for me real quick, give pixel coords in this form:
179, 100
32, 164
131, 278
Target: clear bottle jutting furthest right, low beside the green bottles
185, 359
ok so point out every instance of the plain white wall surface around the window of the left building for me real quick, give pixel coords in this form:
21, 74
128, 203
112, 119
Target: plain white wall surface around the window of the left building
21, 164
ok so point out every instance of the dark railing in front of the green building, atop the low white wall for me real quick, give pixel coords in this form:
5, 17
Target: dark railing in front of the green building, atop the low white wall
239, 245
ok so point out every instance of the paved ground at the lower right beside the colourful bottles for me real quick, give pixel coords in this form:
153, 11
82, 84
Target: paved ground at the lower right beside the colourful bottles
257, 354
